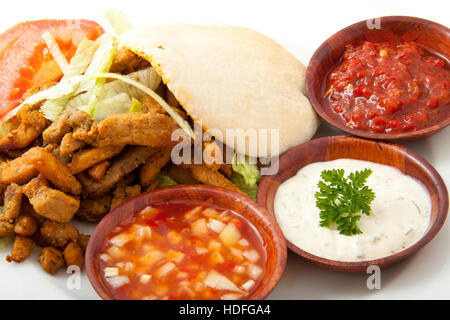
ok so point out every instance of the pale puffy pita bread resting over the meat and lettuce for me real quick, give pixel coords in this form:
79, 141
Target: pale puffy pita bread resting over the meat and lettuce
231, 78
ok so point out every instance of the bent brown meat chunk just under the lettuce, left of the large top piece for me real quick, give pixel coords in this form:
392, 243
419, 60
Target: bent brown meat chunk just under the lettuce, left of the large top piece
71, 119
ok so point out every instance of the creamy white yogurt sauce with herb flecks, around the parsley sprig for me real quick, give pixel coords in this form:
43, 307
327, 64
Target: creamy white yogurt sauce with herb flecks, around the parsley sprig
400, 213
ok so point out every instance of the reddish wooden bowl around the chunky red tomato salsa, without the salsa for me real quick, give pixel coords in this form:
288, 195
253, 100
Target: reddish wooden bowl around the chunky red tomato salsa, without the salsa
433, 36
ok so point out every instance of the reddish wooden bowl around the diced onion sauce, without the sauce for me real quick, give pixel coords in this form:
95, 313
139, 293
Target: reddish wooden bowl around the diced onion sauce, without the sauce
249, 209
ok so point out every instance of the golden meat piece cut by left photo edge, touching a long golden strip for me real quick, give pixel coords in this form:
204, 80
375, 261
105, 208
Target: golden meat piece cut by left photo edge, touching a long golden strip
18, 171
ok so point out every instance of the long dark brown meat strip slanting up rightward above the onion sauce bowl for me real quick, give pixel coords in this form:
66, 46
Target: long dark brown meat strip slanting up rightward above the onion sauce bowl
129, 160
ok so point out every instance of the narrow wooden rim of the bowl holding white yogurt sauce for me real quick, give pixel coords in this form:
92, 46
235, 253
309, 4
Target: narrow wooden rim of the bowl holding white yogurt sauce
384, 262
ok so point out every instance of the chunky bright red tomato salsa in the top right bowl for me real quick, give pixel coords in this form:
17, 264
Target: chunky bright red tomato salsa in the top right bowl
389, 88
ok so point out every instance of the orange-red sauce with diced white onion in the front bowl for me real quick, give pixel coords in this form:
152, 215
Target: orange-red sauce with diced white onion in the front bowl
183, 251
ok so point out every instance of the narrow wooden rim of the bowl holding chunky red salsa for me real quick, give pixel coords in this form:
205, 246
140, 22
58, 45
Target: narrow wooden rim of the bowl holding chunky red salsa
326, 115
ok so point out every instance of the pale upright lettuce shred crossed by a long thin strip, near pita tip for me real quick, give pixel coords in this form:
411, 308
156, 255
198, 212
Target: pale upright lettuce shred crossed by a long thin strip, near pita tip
101, 62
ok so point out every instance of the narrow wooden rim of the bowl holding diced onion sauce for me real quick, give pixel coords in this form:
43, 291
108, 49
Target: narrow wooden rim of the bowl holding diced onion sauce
269, 226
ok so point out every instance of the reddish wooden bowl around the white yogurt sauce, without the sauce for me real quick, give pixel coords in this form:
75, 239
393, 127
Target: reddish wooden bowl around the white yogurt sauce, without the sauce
331, 148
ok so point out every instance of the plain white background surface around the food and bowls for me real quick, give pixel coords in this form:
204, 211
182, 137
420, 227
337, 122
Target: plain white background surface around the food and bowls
300, 26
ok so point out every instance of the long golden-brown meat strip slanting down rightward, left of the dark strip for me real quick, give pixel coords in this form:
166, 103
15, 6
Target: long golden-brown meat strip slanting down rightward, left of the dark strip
47, 164
